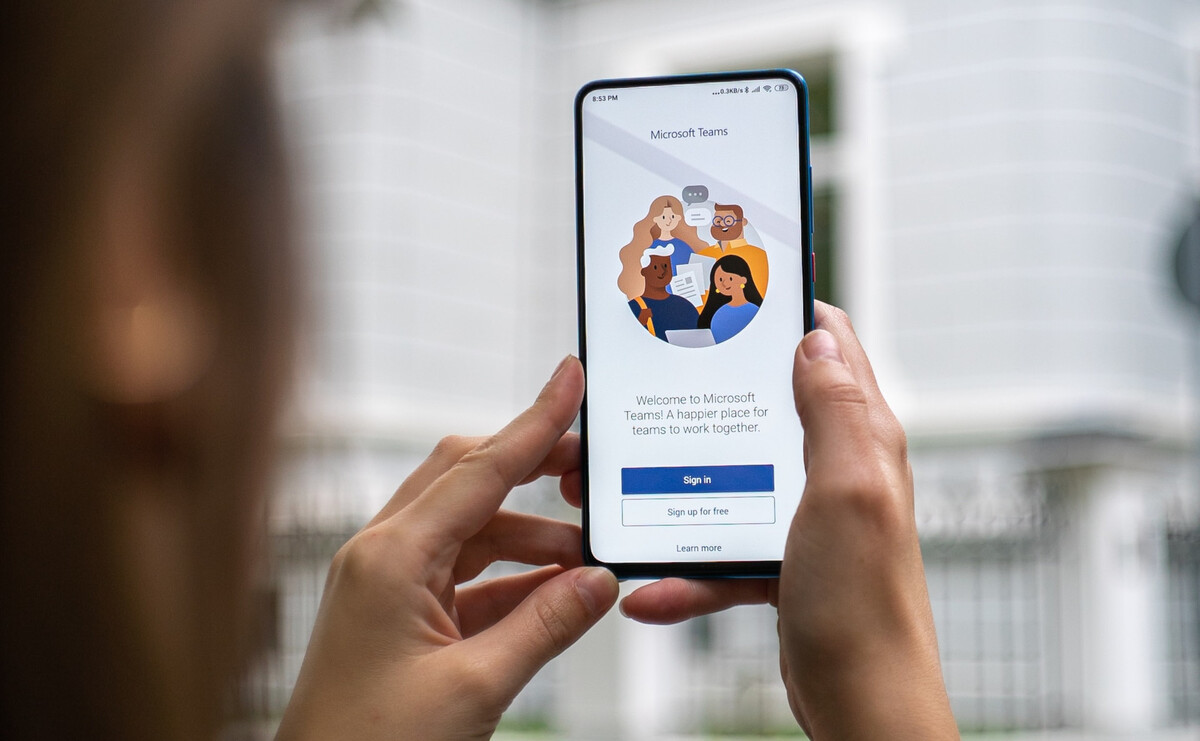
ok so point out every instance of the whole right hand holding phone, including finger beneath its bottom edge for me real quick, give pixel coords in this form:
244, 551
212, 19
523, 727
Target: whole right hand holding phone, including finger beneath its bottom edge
859, 653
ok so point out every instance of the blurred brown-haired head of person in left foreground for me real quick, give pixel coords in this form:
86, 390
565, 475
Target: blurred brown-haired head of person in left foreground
147, 291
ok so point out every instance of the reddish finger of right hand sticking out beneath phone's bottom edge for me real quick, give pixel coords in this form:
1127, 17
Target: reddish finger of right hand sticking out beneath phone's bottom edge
677, 600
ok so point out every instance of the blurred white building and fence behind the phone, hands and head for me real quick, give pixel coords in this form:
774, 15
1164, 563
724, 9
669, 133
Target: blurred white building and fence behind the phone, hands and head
1000, 189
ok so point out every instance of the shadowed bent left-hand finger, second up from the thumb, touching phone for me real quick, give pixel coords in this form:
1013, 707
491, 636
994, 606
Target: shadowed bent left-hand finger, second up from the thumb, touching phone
524, 539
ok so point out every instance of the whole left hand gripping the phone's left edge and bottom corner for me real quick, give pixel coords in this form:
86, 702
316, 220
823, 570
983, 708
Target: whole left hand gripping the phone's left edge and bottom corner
399, 652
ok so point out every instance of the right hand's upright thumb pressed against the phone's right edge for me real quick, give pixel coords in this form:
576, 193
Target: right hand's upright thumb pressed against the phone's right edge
832, 403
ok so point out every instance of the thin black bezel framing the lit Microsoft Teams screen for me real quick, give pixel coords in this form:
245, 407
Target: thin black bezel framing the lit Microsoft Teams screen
683, 569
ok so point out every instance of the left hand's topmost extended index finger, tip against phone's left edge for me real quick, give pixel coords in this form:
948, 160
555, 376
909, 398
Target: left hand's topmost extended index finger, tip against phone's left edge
461, 502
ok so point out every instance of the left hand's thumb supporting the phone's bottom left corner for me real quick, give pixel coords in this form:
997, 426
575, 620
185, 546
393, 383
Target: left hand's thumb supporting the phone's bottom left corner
543, 626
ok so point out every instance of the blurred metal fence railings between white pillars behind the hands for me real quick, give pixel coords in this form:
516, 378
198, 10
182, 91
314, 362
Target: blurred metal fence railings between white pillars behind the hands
999, 604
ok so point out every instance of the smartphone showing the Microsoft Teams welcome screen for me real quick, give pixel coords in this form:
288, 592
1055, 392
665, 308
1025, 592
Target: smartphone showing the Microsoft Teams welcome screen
695, 285
